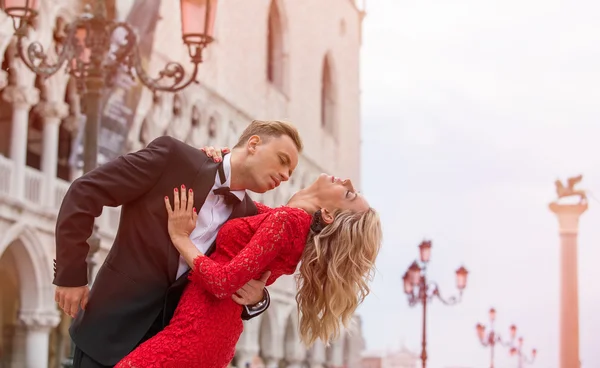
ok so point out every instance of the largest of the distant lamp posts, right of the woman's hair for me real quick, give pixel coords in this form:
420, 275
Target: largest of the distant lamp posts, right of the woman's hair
419, 290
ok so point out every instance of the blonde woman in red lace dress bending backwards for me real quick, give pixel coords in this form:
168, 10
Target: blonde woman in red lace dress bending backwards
327, 226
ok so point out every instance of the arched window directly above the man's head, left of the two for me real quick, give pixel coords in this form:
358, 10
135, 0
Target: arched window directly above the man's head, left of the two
275, 49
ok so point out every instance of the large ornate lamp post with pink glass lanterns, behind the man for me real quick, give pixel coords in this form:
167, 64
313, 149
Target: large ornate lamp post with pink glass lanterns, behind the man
93, 58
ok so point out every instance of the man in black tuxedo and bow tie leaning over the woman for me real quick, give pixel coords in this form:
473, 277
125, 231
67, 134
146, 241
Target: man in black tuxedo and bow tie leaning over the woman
139, 285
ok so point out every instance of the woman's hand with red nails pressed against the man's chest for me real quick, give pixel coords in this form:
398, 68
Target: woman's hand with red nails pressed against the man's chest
182, 216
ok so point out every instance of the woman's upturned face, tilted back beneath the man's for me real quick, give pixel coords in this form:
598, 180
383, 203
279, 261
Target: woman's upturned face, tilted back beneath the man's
336, 195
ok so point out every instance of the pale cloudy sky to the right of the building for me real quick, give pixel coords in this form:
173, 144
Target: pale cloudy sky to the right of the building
471, 110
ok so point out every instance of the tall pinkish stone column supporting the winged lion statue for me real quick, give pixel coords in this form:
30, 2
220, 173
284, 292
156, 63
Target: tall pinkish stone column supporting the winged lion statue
568, 221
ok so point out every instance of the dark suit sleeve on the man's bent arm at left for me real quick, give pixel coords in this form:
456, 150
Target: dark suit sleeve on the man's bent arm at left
113, 184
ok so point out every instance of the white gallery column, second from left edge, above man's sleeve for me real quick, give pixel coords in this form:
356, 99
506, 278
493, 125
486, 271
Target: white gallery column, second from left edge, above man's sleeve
52, 113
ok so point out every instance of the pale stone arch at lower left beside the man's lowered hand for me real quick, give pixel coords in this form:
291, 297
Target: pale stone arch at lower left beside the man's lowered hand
33, 269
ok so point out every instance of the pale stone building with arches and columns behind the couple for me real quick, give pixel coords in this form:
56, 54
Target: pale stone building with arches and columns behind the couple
272, 59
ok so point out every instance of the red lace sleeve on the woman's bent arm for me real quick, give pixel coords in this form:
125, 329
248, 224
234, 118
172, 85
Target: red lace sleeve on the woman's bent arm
272, 237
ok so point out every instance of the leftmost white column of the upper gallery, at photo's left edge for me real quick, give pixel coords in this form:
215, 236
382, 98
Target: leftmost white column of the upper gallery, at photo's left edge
22, 99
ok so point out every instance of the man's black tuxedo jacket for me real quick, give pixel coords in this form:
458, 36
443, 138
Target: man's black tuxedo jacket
136, 287
